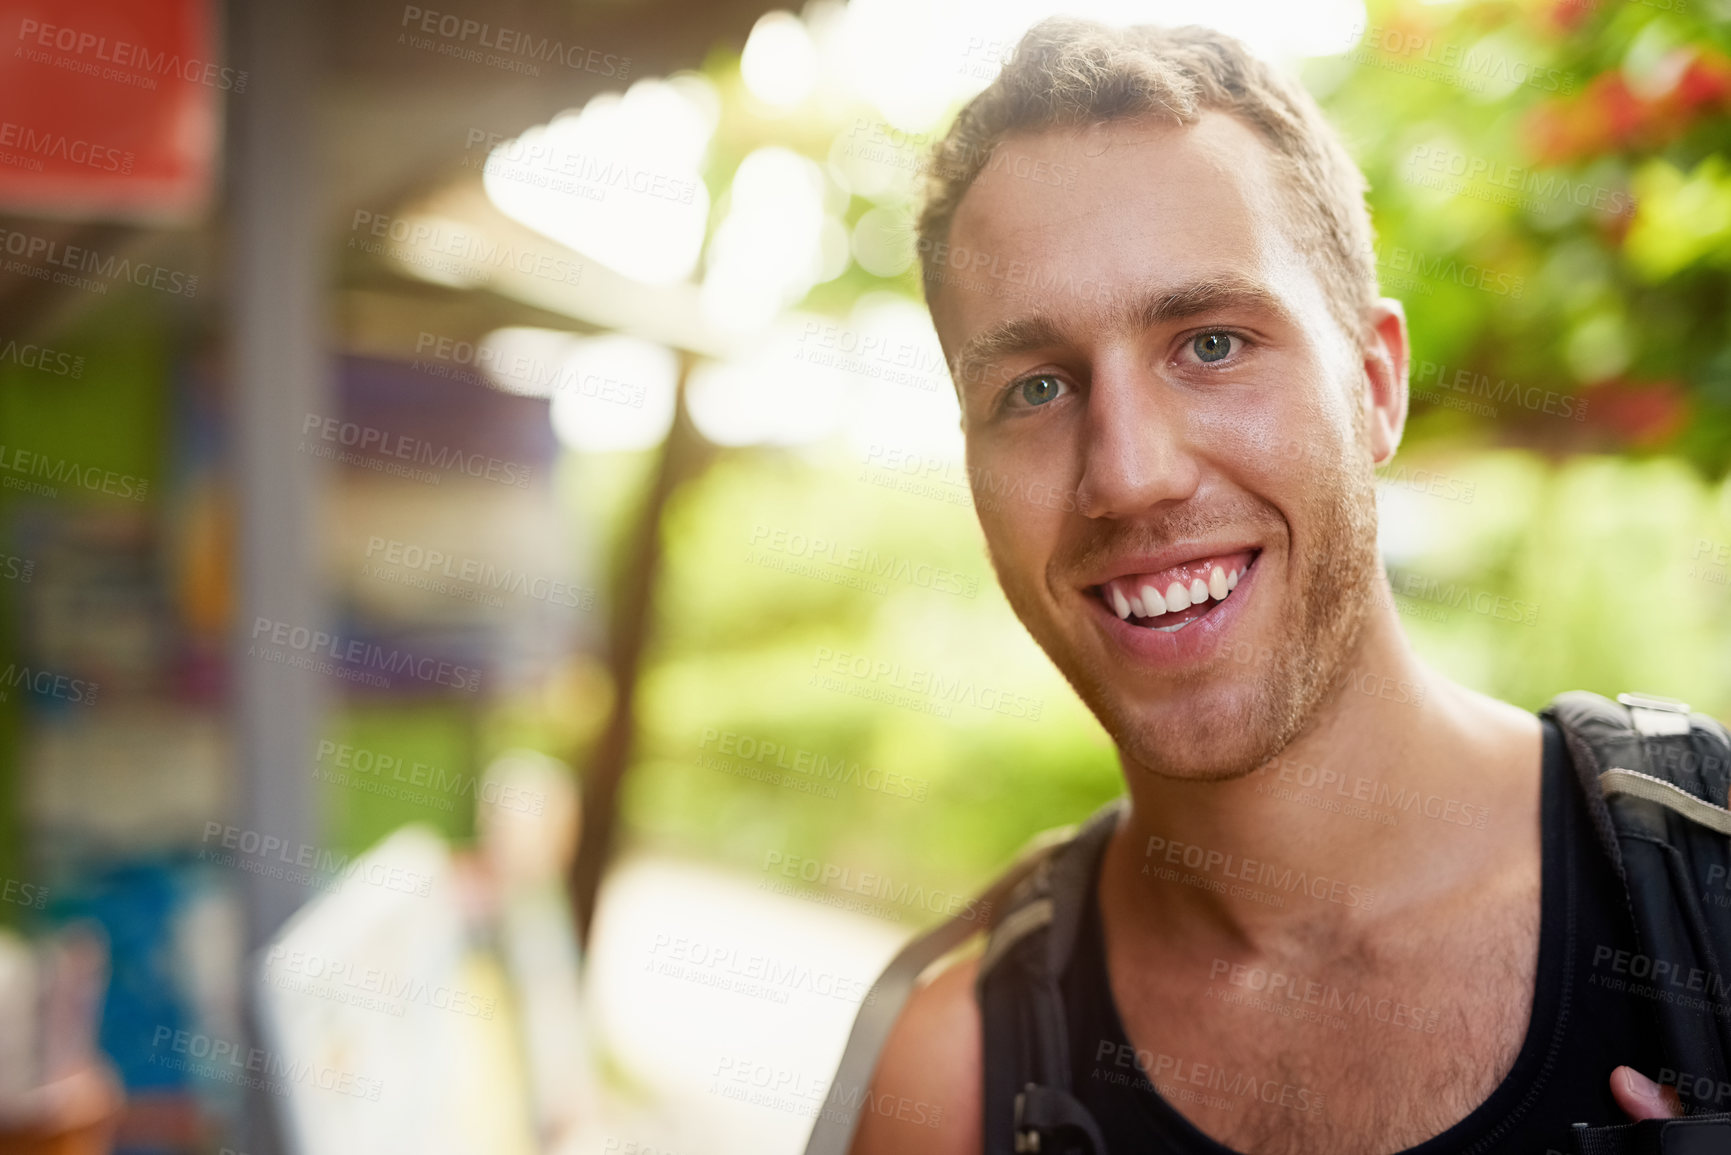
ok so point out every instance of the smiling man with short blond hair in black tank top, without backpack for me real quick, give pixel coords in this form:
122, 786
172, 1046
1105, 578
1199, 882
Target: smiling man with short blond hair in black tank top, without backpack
1348, 905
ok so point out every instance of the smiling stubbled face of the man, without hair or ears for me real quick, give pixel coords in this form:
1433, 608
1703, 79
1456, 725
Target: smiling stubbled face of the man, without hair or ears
1166, 436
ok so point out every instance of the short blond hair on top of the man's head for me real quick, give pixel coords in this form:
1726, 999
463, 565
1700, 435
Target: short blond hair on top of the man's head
1069, 74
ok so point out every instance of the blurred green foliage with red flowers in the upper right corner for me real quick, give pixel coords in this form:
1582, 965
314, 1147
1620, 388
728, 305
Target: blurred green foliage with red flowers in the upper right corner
1554, 205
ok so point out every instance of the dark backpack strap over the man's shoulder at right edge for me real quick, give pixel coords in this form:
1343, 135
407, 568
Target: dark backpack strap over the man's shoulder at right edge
1656, 780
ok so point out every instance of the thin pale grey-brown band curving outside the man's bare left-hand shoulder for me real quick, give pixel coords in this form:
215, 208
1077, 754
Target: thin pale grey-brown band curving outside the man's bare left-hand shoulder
839, 1118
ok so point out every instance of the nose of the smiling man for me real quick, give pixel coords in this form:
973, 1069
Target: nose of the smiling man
1136, 453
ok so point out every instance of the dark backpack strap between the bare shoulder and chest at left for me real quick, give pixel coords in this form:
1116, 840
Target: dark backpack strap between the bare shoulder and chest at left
1026, 1042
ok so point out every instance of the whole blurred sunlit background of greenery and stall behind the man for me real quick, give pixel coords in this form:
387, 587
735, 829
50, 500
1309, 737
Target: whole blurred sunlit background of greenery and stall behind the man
584, 403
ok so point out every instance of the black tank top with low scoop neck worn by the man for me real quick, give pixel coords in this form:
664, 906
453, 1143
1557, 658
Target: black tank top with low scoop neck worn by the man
1583, 1021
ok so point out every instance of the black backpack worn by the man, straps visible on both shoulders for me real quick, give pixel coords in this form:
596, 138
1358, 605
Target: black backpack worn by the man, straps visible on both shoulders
1656, 778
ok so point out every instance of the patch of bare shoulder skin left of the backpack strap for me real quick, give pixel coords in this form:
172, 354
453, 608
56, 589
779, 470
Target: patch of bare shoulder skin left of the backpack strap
925, 1097
